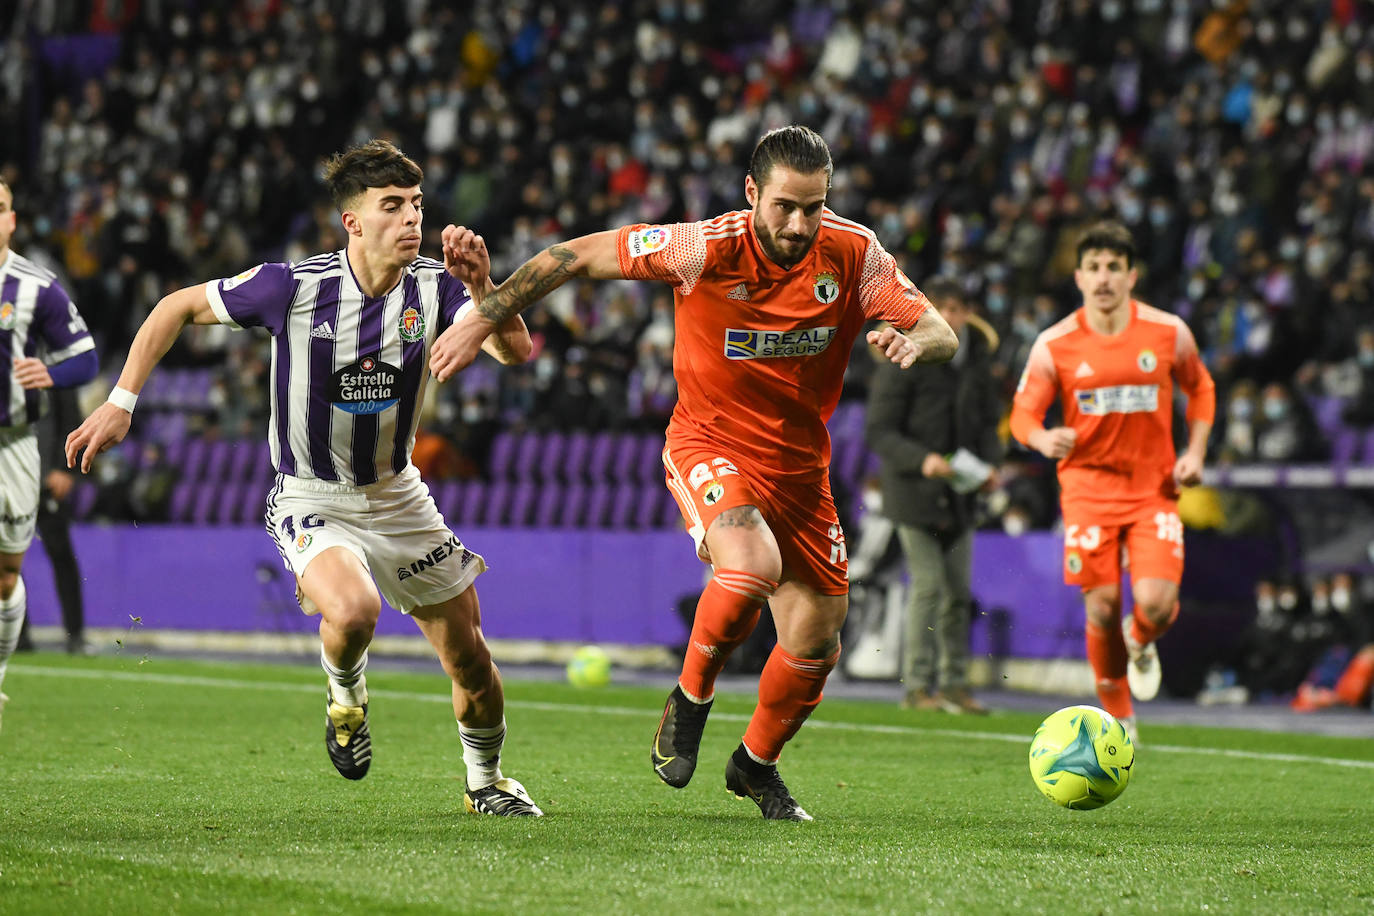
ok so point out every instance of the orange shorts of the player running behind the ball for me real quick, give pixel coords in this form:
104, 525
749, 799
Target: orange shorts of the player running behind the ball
1149, 543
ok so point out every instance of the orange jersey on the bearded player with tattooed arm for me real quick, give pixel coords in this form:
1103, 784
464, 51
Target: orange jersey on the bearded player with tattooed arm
761, 354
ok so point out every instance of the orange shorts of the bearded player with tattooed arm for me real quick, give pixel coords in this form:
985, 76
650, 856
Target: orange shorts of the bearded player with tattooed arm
706, 481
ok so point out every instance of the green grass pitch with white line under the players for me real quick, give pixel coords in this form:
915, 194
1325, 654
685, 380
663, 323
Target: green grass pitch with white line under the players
153, 786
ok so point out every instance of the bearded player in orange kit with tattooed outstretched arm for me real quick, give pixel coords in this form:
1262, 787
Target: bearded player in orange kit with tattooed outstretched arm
769, 306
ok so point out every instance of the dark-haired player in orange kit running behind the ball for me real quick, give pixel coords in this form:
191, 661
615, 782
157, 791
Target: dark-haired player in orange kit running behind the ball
1114, 363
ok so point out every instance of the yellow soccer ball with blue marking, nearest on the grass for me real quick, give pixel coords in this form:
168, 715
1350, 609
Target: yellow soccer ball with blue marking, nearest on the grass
1082, 757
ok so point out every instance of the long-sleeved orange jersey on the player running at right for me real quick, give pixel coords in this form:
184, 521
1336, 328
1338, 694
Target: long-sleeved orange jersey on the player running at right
1118, 395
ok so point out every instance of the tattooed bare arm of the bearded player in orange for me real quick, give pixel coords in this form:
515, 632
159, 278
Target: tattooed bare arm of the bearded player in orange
590, 256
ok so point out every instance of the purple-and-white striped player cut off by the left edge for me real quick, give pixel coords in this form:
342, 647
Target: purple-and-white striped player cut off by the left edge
43, 344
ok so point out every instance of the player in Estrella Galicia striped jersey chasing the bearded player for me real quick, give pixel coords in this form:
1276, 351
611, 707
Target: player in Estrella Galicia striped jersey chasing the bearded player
351, 337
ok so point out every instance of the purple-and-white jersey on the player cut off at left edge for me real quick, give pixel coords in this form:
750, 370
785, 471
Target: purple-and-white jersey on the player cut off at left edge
38, 318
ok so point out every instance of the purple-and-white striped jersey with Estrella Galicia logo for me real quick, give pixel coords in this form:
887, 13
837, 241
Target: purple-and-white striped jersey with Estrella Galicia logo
348, 370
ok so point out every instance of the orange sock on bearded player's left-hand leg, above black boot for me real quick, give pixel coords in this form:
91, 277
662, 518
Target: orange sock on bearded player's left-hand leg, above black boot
726, 616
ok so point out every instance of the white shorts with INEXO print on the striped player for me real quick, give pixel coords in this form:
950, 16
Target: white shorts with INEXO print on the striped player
392, 527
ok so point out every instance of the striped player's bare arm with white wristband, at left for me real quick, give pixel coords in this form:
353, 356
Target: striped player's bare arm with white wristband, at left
109, 424
